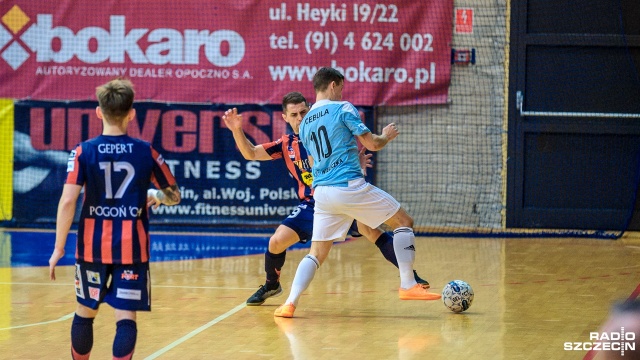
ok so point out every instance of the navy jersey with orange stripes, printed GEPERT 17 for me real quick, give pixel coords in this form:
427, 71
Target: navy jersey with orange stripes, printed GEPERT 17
116, 172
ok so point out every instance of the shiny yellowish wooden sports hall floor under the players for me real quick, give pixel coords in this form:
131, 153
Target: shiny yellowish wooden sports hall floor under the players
531, 296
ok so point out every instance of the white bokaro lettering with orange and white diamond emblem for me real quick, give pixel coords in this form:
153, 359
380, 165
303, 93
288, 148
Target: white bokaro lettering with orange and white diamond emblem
95, 45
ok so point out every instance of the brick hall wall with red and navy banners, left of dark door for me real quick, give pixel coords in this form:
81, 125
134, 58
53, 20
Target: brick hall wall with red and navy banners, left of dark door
437, 68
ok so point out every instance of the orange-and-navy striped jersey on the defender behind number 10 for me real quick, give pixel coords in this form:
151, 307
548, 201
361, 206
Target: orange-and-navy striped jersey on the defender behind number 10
291, 150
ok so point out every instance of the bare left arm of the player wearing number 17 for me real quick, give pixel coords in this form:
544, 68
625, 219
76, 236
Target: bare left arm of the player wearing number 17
64, 219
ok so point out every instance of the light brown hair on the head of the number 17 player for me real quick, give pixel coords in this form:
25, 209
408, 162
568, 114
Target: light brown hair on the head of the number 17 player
115, 98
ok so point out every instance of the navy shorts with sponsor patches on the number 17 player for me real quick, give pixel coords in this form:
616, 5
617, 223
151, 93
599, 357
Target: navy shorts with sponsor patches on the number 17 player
124, 287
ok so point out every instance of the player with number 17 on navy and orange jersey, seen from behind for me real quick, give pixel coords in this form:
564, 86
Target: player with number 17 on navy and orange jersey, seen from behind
112, 248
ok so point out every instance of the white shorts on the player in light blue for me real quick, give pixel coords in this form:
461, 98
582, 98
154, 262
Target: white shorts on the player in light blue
336, 207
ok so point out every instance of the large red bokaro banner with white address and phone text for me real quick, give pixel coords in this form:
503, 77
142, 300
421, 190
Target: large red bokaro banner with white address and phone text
241, 51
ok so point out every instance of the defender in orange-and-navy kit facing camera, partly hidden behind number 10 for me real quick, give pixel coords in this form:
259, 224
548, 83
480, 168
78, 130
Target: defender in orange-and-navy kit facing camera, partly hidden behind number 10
298, 226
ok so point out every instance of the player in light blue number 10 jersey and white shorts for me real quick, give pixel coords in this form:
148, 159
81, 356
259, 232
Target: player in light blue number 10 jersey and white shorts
340, 191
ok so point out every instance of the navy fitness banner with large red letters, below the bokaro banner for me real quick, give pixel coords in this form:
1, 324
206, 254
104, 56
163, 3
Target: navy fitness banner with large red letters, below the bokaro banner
218, 185
